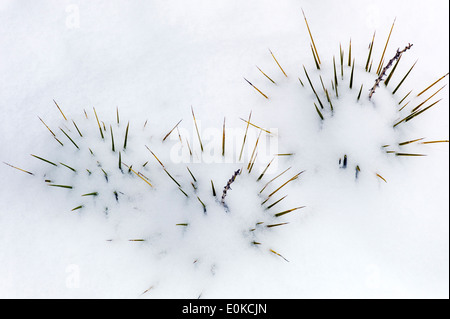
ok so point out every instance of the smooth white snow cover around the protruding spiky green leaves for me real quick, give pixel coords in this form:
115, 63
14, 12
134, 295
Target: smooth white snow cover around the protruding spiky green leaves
356, 237
